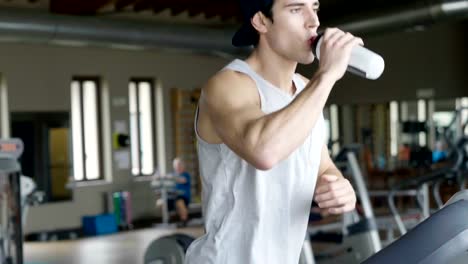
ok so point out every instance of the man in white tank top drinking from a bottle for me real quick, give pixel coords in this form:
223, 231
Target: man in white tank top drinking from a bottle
260, 135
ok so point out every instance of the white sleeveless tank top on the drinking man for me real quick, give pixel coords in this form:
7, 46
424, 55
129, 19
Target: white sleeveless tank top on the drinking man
253, 216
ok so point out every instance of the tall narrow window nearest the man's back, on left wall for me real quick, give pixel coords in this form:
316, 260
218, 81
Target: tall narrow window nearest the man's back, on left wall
142, 128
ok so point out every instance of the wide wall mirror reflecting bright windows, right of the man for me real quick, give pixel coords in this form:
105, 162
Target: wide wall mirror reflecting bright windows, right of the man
388, 130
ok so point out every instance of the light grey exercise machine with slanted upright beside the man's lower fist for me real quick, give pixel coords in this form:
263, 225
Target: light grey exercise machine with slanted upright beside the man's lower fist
359, 236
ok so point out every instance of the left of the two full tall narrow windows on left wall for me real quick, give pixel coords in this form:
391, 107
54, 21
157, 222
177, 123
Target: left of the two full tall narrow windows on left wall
86, 129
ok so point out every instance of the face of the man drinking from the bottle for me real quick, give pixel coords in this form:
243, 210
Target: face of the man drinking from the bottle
295, 22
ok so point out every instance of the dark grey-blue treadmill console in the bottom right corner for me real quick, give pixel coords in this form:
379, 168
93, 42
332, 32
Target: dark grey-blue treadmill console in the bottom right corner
441, 238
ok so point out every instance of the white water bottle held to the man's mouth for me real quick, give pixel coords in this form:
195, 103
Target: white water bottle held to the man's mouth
363, 62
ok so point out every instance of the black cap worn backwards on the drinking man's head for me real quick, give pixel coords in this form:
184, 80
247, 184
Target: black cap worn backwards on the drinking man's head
247, 35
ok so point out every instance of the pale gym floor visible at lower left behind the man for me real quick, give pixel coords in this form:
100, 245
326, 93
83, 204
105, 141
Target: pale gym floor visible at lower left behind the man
127, 247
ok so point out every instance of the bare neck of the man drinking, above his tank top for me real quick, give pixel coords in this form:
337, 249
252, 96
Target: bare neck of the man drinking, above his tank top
275, 69
